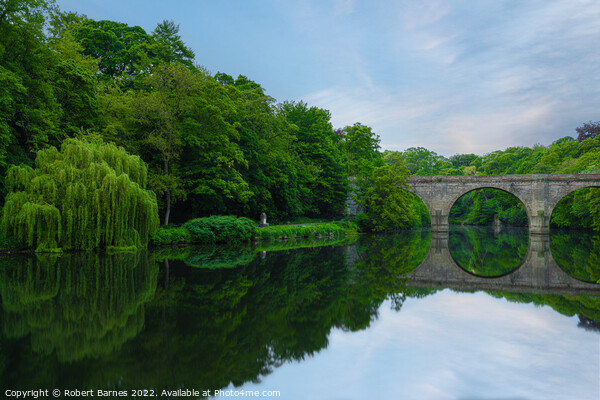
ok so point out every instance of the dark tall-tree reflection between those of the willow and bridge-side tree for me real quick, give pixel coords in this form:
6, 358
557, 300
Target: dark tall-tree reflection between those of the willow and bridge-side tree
234, 325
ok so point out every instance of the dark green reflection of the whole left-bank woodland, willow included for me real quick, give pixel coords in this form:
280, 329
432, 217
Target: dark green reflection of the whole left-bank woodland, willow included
203, 328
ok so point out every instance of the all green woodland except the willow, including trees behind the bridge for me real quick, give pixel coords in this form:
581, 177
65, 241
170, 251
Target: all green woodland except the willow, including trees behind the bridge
215, 144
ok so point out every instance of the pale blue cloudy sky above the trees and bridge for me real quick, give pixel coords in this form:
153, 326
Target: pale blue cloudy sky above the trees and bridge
453, 76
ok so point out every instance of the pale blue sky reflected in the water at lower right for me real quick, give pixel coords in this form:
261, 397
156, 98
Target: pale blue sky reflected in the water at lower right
449, 346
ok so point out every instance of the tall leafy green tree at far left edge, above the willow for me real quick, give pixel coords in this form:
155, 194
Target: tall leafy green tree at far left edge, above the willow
47, 86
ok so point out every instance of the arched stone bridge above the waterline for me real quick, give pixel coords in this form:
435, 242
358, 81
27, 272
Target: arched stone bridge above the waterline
538, 193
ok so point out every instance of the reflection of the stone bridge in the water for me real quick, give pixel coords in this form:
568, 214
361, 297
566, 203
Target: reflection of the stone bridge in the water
538, 273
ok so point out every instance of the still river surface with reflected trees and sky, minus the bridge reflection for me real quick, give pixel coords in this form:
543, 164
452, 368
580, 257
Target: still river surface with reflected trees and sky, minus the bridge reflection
326, 322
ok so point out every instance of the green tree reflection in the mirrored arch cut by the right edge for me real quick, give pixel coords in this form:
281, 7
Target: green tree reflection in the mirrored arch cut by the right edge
577, 253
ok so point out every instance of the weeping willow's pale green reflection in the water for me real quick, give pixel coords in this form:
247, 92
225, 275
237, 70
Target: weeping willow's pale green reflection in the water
71, 307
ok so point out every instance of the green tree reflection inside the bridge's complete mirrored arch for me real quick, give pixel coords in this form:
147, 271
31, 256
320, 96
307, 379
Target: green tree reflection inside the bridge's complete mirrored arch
484, 252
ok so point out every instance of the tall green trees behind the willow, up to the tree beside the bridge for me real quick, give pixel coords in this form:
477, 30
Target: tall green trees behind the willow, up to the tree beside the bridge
213, 144
